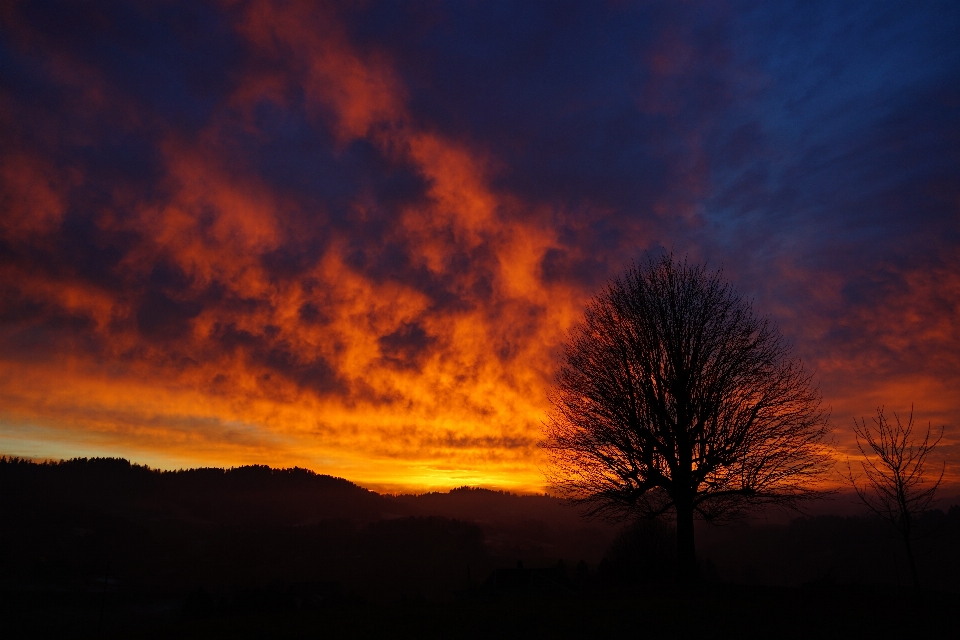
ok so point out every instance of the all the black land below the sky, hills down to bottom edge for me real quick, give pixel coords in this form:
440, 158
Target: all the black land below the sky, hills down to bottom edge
102, 548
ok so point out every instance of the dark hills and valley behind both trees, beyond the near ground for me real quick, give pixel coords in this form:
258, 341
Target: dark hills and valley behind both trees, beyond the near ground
224, 527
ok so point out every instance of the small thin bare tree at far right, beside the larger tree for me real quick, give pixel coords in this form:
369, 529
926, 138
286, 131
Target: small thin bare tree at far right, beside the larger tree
897, 488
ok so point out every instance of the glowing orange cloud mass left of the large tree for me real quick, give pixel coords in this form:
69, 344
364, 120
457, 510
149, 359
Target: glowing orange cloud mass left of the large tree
463, 406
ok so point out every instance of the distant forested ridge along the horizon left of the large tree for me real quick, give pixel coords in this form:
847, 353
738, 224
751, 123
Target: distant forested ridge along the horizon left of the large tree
282, 497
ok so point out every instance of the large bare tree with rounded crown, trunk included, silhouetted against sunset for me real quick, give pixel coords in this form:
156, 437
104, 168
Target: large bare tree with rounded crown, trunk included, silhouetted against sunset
673, 396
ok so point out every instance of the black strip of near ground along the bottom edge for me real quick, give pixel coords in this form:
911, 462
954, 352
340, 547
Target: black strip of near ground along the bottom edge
718, 611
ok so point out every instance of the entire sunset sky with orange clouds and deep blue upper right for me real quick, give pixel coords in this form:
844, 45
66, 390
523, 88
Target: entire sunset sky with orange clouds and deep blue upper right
353, 237
